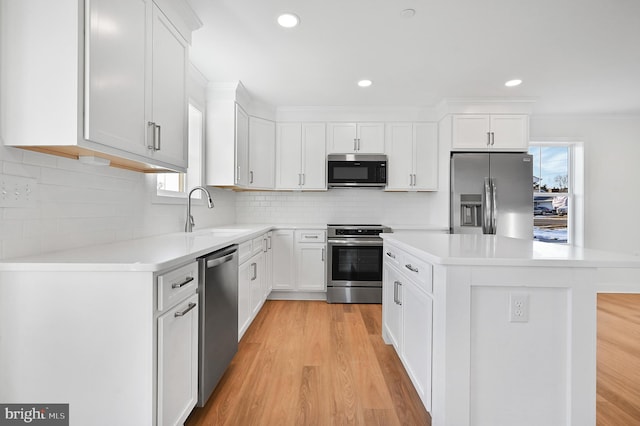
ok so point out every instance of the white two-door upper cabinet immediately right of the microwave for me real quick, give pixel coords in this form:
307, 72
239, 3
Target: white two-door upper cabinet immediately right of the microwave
412, 152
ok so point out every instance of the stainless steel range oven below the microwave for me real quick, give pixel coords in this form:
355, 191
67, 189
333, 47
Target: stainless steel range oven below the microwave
354, 266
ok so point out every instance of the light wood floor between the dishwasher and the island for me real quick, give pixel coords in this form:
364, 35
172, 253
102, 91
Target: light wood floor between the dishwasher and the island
313, 363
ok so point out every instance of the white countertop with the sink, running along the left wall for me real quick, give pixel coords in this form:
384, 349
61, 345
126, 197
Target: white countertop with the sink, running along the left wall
145, 254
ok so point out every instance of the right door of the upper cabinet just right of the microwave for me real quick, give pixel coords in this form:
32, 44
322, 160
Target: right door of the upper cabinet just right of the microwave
425, 157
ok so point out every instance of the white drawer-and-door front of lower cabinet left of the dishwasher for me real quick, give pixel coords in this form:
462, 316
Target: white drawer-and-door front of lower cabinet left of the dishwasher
177, 344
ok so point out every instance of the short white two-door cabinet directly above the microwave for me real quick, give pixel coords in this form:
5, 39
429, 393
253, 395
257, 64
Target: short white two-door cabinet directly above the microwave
362, 138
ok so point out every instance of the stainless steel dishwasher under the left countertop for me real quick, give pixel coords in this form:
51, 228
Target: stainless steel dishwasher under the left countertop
218, 342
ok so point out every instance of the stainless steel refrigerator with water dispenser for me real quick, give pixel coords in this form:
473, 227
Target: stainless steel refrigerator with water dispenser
492, 193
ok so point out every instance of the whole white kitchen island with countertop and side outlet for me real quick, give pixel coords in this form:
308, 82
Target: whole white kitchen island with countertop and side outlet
499, 331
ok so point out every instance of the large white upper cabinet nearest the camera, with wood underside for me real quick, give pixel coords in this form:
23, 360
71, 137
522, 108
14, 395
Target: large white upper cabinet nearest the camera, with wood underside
94, 83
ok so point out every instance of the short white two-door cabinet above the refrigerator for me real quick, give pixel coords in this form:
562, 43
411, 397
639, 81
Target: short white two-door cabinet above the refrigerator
497, 132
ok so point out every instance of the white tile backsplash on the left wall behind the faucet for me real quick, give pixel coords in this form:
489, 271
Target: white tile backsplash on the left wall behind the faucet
76, 205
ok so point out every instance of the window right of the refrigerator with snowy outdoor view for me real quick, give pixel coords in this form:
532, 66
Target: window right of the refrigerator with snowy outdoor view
557, 182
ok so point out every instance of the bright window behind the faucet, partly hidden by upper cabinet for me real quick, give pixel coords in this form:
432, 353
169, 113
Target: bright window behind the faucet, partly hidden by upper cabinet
177, 184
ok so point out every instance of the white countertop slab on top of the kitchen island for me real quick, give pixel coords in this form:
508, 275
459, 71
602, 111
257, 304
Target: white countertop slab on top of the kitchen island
464, 249
